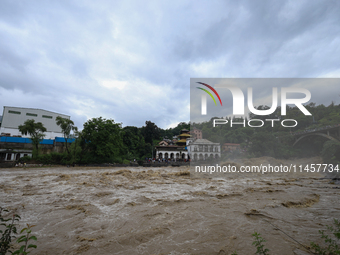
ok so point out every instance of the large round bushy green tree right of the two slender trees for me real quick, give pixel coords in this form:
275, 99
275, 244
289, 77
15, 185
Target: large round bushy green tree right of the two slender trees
101, 140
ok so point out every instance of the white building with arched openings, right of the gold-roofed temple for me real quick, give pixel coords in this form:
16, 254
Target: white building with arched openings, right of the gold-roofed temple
203, 149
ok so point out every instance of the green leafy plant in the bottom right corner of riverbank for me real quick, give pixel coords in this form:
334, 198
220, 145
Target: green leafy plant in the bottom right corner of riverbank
332, 245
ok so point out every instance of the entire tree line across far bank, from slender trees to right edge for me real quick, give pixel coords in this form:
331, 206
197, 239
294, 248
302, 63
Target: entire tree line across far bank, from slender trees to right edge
104, 141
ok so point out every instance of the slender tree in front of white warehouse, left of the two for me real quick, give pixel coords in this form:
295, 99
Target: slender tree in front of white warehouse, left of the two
35, 130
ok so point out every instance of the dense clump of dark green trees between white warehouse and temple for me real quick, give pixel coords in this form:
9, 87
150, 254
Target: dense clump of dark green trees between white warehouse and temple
104, 141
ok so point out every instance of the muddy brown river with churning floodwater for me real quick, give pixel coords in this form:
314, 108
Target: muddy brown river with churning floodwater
136, 210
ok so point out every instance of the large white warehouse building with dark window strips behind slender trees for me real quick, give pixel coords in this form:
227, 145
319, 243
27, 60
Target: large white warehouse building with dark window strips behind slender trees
14, 116
